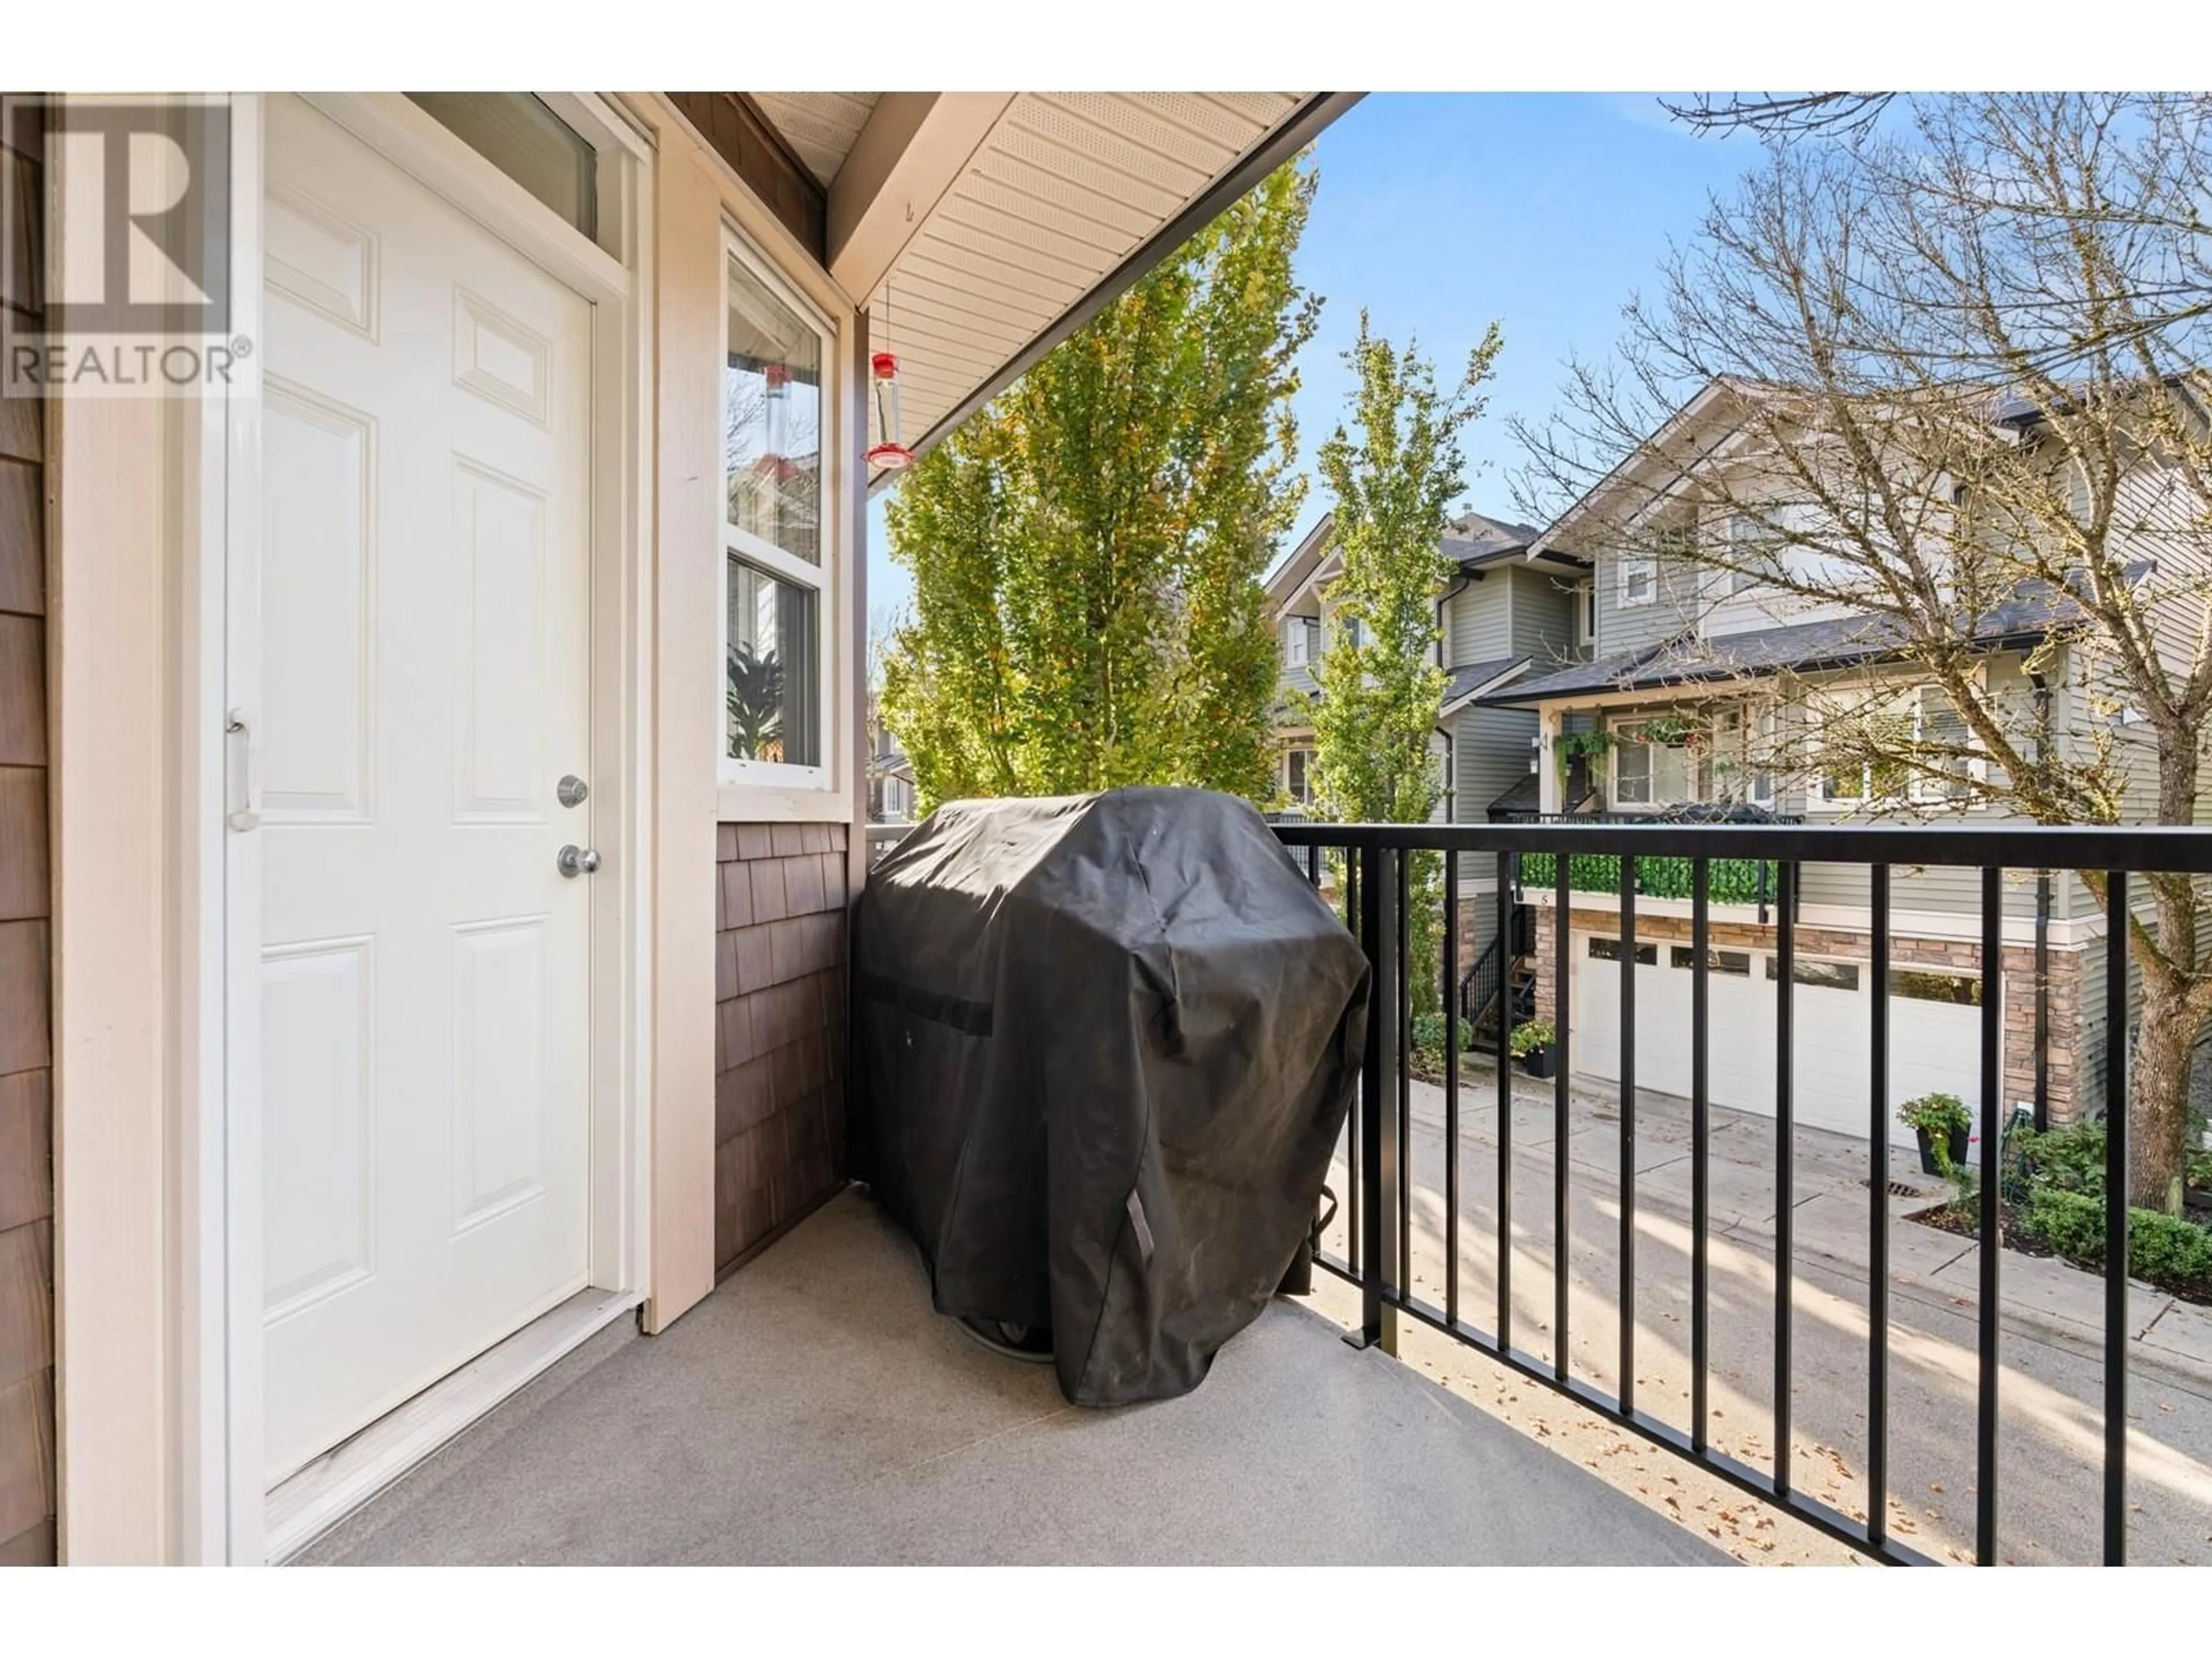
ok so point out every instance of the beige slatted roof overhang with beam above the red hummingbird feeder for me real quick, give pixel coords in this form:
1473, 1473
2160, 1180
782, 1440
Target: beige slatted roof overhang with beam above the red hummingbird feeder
981, 229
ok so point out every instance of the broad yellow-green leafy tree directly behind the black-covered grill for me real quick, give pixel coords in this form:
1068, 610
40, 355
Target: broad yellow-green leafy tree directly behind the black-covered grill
1089, 550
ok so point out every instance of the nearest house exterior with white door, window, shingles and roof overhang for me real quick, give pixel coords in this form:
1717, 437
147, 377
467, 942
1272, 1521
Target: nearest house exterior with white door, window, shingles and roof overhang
410, 957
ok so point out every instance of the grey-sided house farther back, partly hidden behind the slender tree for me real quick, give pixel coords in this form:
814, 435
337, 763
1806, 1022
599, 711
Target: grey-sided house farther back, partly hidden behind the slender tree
1503, 614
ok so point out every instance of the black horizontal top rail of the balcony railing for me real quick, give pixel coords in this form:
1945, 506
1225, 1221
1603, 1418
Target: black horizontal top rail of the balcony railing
2160, 848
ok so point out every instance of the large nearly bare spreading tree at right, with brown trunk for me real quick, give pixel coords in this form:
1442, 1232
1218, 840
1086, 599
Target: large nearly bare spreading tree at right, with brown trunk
1963, 348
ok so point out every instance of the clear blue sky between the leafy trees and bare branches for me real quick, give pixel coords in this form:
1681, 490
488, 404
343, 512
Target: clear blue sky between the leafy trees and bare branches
1443, 211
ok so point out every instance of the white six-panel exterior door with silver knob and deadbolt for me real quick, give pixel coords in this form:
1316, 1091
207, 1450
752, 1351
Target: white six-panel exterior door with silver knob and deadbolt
424, 656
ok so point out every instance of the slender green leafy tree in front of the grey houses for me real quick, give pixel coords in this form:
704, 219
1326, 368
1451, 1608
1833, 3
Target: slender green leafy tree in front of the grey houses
1381, 689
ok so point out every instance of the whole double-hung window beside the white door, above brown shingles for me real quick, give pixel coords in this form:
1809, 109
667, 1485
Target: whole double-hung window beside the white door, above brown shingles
775, 589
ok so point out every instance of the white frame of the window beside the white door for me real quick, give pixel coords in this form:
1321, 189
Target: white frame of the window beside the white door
769, 559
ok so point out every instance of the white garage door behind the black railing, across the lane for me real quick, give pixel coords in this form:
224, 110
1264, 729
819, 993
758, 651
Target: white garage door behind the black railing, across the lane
1934, 1032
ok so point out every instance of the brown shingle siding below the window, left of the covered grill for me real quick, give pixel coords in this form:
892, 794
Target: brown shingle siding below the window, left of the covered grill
780, 1030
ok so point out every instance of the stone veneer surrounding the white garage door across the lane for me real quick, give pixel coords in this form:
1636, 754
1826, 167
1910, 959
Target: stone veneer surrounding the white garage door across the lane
1961, 957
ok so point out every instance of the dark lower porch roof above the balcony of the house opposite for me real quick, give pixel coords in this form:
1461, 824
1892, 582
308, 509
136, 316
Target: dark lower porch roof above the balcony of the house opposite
2032, 616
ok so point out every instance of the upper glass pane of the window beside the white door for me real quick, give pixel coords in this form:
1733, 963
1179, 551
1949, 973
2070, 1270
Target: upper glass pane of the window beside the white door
771, 410
